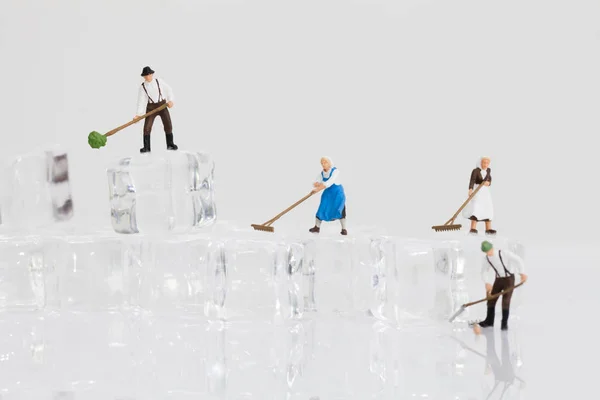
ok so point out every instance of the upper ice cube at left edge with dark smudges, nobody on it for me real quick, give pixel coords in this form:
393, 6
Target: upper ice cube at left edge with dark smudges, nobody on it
35, 190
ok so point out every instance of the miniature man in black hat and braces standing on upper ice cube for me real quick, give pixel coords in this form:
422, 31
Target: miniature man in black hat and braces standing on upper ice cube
153, 94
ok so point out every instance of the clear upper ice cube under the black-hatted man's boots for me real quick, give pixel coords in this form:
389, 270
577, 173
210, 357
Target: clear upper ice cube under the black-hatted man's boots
159, 193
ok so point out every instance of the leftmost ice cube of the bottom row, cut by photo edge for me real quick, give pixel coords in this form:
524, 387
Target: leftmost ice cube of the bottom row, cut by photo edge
22, 284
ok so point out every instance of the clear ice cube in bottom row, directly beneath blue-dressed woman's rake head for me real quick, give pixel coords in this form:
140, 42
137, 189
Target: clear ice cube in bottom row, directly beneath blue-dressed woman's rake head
255, 279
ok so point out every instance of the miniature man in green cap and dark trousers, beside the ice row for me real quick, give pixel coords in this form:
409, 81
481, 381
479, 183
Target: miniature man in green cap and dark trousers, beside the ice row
498, 272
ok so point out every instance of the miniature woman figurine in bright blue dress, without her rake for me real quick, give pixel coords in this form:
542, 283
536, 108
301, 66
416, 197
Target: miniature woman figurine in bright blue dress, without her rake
333, 199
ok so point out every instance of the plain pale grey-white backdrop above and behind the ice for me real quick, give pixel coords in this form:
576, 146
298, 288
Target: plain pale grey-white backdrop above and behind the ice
403, 95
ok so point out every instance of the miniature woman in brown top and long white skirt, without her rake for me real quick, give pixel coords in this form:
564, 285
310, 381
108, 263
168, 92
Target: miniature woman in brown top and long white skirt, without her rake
481, 208
